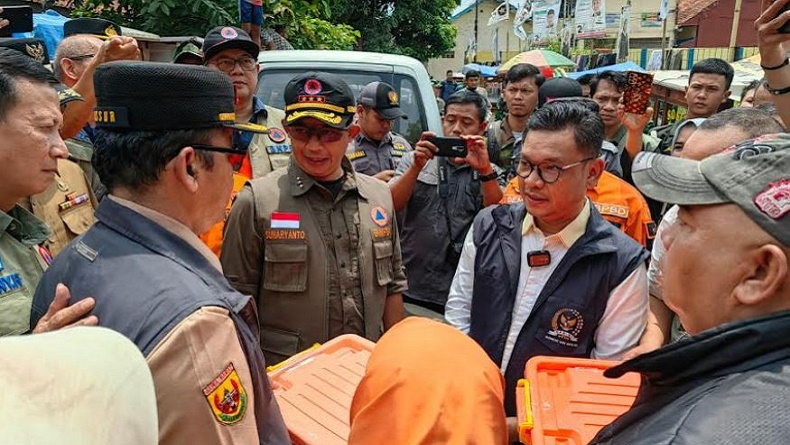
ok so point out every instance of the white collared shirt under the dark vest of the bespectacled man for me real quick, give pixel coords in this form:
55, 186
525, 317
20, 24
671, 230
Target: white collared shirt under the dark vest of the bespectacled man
620, 326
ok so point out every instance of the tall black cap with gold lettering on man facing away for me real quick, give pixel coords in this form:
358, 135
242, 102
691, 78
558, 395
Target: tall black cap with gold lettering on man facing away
147, 96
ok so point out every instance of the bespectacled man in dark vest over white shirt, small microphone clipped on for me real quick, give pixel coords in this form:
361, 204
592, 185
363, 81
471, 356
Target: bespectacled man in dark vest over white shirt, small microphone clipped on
550, 276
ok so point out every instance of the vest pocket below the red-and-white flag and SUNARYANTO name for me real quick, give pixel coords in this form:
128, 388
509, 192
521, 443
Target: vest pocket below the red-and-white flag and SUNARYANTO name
285, 266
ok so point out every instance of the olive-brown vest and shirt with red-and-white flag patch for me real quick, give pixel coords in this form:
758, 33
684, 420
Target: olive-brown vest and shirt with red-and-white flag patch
319, 267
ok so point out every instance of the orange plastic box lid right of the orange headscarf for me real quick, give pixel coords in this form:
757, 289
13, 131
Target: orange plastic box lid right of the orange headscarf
566, 401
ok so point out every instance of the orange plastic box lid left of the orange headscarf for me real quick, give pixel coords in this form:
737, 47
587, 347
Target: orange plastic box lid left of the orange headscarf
314, 389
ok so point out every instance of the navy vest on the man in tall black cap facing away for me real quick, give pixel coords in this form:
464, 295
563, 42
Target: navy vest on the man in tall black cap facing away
146, 281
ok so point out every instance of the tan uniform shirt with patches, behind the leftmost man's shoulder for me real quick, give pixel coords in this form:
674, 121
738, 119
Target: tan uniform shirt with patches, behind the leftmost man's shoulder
66, 206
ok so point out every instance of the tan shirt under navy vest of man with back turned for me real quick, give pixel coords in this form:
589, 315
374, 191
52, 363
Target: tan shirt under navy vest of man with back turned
191, 358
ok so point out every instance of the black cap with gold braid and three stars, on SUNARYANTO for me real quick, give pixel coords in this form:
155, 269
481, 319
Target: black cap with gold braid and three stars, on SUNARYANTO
322, 96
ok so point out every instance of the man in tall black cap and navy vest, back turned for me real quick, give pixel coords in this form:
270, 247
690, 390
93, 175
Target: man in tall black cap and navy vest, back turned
163, 148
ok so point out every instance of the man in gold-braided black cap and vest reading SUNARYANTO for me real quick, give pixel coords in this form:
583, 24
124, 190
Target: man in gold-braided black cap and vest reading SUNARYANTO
316, 244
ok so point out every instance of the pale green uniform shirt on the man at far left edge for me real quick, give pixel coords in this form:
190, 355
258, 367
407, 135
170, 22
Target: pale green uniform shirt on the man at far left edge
22, 263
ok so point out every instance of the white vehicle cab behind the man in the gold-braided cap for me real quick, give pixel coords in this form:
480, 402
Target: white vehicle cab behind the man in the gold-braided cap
407, 75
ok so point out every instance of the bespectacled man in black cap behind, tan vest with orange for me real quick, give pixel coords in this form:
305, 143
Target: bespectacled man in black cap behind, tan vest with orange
231, 51
